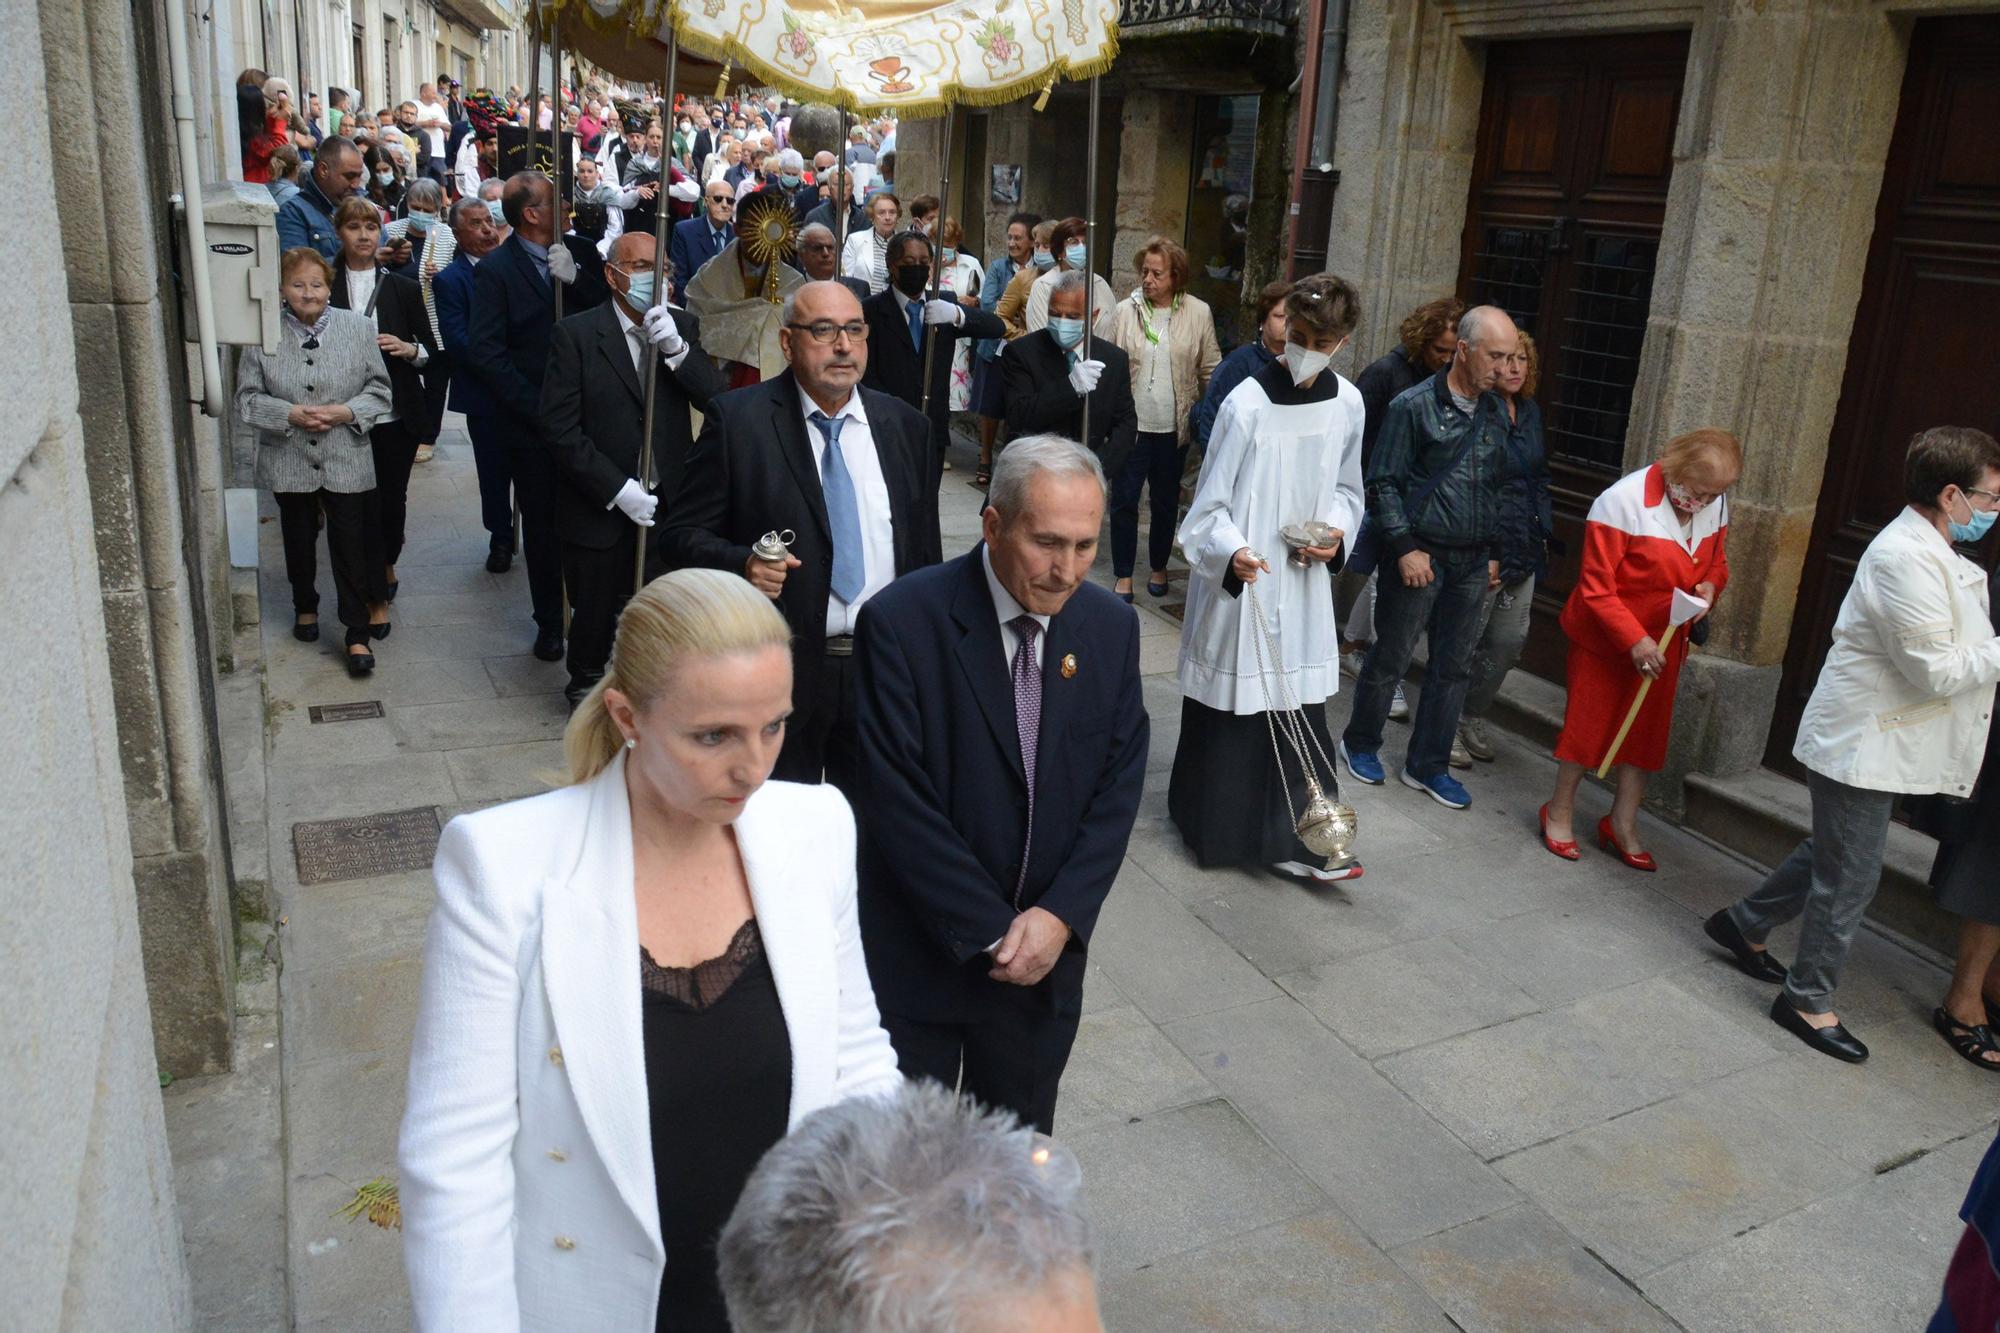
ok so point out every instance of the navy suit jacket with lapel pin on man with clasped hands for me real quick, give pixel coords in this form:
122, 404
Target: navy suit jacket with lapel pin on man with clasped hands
947, 814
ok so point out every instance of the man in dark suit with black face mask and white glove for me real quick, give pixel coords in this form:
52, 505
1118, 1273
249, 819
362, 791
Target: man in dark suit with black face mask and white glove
901, 323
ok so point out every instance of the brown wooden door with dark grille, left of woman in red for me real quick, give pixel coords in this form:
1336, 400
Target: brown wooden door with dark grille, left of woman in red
1563, 231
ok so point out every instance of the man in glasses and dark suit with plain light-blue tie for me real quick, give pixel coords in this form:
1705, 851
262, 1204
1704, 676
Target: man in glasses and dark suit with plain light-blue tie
843, 467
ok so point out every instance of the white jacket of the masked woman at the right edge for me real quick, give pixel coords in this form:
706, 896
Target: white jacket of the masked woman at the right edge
1909, 688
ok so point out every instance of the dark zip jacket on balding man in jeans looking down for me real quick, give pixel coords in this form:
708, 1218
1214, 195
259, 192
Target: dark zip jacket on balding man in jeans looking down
1421, 433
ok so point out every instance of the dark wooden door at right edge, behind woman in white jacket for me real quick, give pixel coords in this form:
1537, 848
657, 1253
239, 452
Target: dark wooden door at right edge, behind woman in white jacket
1921, 353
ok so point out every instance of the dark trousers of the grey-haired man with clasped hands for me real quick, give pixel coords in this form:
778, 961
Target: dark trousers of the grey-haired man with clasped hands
1009, 1060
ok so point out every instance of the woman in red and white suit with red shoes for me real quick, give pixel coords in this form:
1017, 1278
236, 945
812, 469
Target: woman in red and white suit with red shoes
1653, 531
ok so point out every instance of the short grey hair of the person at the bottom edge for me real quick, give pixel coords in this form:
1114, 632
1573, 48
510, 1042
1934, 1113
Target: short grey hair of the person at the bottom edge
907, 1214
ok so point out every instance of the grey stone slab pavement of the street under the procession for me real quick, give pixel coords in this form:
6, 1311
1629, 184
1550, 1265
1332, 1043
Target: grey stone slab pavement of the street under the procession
1475, 1090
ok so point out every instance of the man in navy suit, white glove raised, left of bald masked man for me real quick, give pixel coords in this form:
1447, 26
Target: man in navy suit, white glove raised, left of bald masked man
513, 319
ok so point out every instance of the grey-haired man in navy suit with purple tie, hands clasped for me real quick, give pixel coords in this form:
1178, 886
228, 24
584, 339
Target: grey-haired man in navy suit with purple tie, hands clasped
1003, 754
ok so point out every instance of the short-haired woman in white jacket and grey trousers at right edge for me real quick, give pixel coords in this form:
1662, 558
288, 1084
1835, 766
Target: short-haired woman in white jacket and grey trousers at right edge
1903, 708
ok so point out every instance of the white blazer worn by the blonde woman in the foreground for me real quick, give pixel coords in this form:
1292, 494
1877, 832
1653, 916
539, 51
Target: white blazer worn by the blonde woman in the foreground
529, 1198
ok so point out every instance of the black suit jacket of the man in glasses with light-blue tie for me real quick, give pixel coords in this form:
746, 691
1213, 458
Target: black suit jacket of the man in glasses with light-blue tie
753, 469
